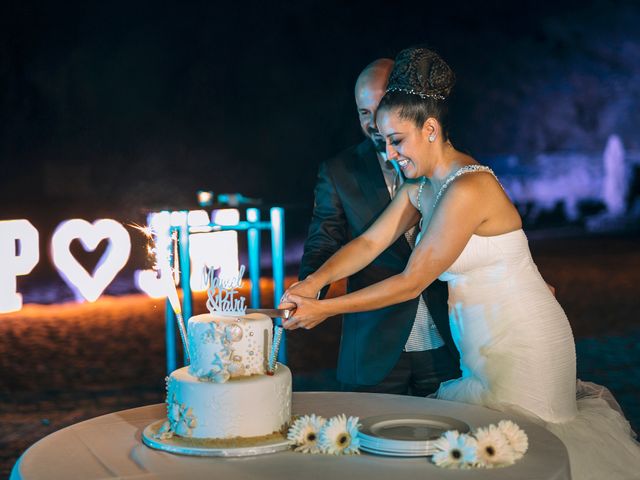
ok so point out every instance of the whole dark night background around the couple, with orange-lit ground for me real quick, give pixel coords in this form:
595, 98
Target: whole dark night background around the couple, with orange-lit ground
114, 109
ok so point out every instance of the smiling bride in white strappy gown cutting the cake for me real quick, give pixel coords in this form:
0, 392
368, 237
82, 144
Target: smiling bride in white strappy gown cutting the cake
516, 347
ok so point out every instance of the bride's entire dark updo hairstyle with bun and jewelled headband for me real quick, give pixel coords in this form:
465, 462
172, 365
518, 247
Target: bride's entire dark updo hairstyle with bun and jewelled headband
418, 88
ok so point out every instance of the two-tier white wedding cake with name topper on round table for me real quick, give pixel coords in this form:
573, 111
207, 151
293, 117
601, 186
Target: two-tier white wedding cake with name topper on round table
232, 389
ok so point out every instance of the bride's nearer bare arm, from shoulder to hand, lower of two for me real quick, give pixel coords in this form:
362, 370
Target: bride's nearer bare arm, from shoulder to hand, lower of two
455, 219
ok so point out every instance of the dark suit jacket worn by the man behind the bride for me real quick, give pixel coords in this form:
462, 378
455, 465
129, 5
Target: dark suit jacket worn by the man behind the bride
350, 194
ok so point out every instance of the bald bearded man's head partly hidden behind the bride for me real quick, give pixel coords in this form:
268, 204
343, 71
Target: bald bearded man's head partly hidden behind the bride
369, 90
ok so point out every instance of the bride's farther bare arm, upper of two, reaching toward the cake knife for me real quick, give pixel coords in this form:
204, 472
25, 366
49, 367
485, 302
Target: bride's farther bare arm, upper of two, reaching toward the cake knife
396, 219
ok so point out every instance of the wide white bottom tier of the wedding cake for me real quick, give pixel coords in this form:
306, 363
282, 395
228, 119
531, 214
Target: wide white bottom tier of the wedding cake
241, 407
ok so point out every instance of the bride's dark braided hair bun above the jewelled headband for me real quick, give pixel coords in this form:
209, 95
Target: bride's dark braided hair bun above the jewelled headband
422, 72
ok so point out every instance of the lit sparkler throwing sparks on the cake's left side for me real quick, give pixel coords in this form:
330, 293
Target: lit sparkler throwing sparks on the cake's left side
168, 277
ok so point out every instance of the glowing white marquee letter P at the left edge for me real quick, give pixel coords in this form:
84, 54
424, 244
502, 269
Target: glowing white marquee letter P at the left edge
16, 261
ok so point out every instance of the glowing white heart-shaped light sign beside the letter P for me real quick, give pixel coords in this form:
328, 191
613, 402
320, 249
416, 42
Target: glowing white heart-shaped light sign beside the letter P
84, 284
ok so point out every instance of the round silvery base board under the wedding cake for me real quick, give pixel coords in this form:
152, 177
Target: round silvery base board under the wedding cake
194, 447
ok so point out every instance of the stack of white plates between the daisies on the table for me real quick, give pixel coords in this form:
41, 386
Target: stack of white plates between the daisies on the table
405, 435
